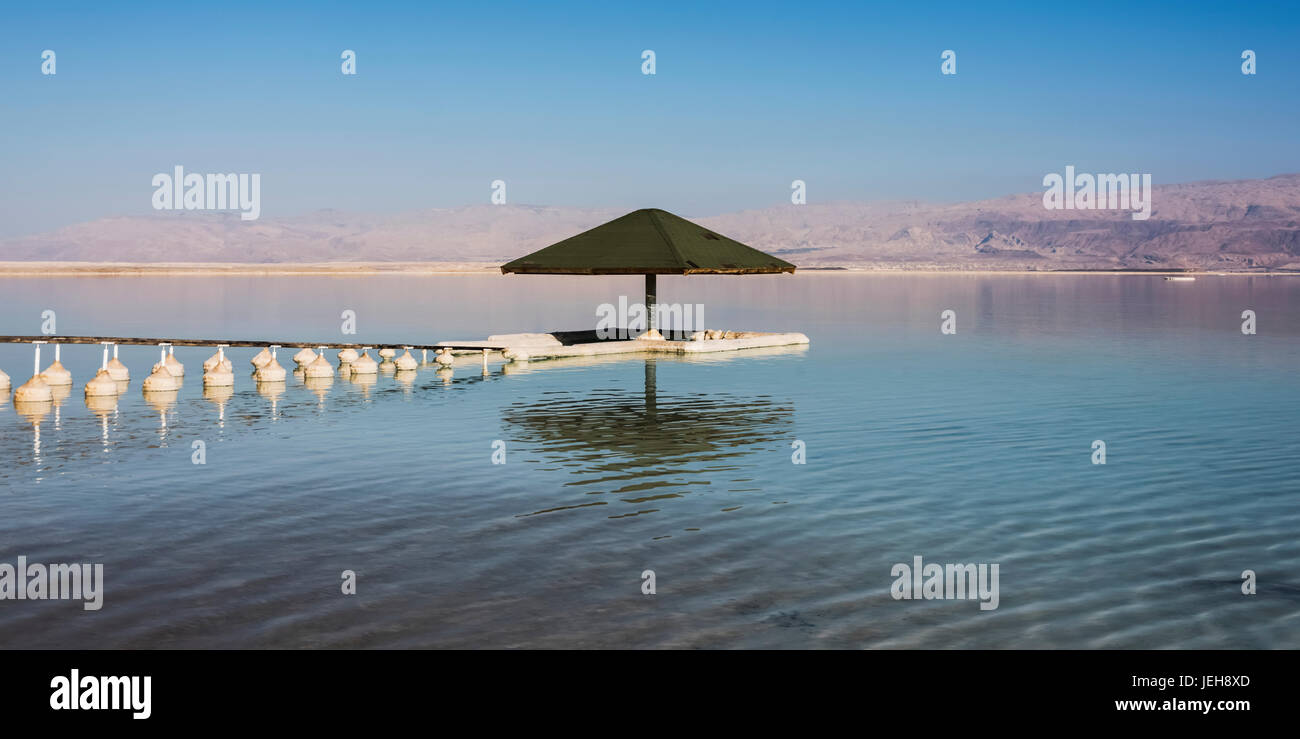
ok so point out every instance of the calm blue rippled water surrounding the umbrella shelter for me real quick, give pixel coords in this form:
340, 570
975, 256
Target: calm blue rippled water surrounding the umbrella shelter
968, 448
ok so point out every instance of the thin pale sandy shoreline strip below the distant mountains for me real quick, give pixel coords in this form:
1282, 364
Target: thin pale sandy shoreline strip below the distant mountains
356, 269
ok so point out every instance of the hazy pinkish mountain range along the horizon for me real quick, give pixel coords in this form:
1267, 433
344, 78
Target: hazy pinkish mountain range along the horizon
1240, 226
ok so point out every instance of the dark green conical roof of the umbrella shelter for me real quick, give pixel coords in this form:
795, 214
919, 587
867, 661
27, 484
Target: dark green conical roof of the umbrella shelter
648, 243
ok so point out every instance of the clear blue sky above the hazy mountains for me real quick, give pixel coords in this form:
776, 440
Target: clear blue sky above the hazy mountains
549, 96
